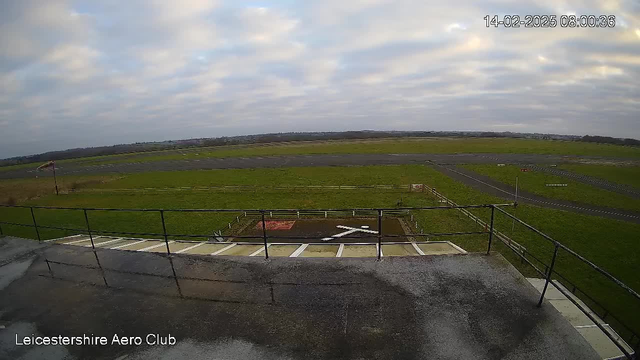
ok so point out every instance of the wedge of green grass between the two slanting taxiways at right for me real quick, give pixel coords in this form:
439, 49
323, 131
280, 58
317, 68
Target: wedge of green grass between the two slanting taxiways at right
535, 182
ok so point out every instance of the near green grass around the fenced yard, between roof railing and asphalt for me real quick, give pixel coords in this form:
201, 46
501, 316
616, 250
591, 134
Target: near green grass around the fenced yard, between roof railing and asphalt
610, 244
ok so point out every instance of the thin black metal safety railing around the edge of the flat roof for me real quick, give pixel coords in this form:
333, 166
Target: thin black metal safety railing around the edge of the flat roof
548, 273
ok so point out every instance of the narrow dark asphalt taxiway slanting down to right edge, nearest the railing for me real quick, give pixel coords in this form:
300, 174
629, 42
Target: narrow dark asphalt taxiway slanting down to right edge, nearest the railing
496, 188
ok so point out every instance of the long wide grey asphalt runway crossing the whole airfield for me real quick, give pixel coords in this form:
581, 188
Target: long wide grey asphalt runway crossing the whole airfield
303, 161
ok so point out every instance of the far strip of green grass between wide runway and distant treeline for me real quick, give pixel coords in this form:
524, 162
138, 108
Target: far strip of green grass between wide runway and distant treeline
375, 146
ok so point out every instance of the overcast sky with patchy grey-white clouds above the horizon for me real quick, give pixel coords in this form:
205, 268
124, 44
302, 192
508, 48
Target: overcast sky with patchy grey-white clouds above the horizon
101, 72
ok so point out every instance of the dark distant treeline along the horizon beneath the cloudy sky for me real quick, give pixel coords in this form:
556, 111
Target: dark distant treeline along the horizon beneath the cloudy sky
288, 137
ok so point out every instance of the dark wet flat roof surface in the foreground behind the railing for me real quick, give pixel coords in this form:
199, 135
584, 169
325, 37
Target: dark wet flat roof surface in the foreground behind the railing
429, 307
